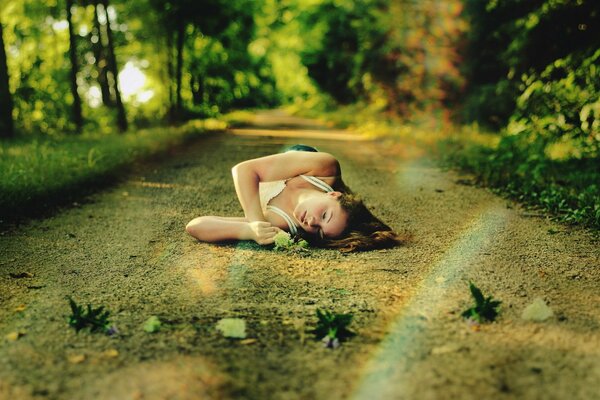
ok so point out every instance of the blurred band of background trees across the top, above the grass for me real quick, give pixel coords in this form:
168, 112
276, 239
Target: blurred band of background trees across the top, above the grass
527, 66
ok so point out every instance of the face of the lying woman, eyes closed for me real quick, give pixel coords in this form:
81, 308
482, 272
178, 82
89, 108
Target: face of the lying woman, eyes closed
322, 215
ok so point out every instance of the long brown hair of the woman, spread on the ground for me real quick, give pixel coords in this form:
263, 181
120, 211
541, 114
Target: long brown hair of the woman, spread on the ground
364, 230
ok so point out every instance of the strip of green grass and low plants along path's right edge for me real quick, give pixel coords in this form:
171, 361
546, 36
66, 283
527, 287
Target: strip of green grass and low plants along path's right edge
567, 189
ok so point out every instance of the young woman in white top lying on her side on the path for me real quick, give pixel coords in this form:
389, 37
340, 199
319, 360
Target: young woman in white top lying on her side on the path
301, 192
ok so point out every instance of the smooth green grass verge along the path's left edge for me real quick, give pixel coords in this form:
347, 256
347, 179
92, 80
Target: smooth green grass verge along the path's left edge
39, 172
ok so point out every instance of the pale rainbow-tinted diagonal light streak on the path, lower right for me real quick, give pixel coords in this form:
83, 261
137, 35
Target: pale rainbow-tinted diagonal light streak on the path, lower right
384, 375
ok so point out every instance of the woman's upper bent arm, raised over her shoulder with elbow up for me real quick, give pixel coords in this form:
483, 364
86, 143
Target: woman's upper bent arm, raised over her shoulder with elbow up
247, 175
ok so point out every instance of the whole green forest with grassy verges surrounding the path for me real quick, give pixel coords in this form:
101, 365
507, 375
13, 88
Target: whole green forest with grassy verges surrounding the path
524, 72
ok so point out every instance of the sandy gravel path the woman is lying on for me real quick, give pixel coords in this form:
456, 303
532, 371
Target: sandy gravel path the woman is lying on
125, 248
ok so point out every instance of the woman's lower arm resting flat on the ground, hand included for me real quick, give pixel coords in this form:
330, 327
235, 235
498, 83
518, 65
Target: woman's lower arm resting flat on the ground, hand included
218, 229
